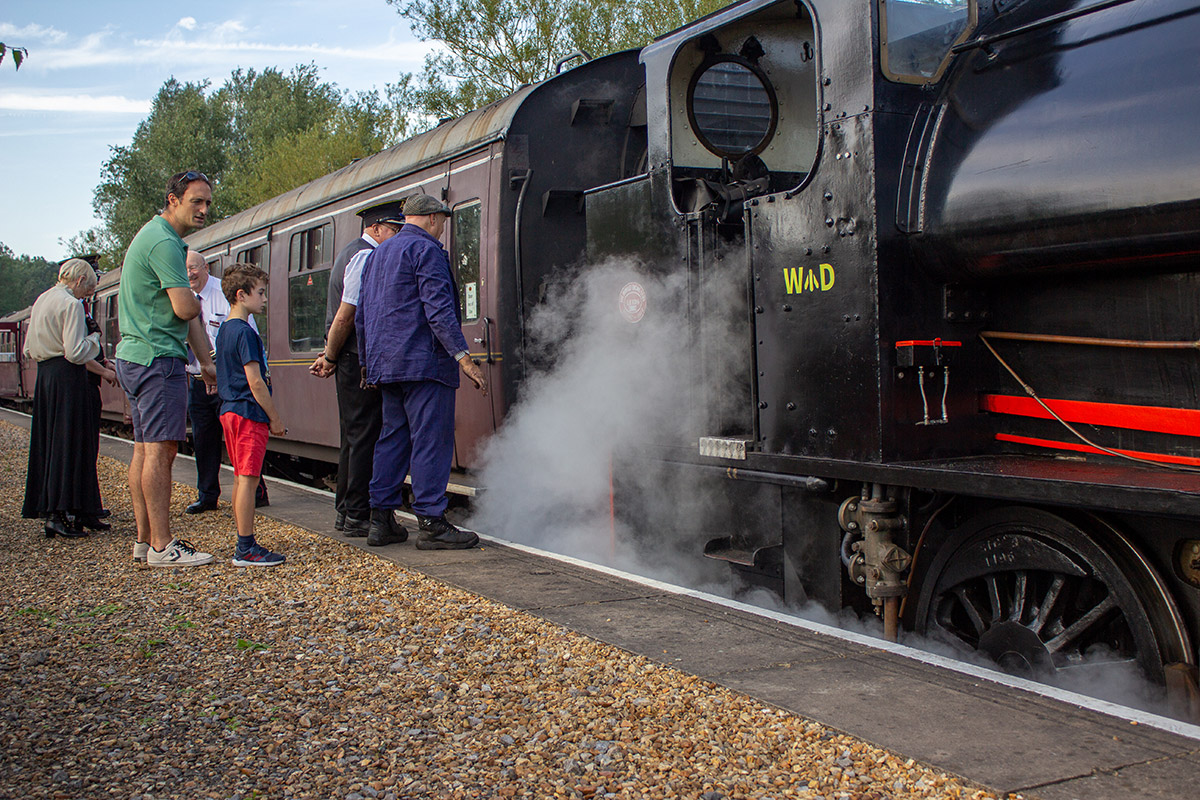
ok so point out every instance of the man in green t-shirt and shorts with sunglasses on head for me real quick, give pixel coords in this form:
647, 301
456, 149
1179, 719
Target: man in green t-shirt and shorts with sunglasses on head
159, 317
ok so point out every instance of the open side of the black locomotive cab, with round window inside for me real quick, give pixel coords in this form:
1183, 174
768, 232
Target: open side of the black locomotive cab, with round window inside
745, 111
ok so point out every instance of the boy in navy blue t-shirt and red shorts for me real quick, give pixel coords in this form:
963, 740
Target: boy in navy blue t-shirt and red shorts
248, 412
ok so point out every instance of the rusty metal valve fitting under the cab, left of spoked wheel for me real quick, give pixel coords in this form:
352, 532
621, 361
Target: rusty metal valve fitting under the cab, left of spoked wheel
875, 562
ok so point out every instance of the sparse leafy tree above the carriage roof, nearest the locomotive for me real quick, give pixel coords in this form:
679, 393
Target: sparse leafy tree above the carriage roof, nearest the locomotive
493, 47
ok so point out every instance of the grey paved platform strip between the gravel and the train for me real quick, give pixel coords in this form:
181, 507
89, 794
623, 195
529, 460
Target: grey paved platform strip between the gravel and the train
962, 721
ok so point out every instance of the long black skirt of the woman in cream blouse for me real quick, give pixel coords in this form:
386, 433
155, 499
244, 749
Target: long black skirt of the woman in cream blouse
62, 474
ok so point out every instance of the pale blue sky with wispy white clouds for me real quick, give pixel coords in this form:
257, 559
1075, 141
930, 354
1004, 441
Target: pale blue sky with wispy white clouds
95, 65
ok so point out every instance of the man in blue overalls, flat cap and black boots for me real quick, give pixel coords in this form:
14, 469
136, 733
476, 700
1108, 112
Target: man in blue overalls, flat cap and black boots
412, 347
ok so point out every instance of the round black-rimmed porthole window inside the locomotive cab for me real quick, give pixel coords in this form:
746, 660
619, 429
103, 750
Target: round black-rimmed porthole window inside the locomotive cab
733, 107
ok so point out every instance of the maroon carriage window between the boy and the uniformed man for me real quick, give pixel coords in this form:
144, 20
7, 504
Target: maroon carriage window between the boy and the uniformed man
309, 264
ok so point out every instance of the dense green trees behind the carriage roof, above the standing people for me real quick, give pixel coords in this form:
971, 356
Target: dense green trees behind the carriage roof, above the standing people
260, 135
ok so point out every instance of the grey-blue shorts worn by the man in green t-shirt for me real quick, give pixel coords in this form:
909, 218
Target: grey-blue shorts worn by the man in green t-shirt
158, 399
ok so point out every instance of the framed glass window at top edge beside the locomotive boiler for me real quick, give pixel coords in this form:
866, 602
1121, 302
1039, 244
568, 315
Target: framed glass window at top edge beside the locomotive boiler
917, 37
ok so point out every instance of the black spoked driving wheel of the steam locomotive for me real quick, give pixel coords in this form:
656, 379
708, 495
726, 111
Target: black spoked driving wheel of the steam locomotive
1048, 600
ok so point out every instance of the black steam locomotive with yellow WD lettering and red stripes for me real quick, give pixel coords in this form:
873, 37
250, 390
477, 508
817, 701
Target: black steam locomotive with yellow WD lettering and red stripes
970, 244
